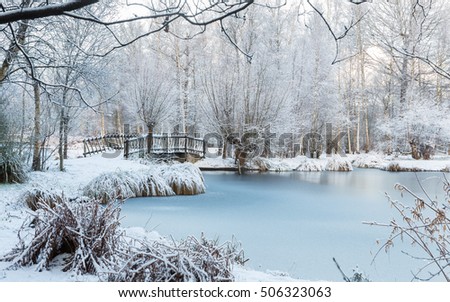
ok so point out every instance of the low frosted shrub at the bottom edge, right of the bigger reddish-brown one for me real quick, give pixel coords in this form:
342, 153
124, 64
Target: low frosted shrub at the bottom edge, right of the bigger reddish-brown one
189, 260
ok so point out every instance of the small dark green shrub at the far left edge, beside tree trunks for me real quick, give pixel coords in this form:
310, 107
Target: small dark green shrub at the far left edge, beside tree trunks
12, 169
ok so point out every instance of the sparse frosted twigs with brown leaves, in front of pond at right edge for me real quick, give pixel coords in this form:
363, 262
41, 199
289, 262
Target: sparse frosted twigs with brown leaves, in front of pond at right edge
426, 224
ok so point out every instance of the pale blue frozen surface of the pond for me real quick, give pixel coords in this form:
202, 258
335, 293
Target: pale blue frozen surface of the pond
293, 222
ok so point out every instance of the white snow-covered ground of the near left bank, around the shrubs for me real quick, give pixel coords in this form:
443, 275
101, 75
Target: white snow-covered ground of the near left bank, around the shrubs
79, 172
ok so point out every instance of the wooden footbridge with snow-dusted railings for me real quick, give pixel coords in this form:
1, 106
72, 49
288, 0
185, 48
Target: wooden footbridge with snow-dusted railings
178, 146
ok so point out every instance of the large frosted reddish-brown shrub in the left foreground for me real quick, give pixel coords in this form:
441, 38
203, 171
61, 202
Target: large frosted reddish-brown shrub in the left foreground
82, 228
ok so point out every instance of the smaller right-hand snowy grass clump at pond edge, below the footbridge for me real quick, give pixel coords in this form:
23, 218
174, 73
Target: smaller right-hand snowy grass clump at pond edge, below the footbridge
184, 179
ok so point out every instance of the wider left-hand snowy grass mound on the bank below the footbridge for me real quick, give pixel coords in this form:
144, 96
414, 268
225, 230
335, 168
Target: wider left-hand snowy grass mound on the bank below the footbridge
124, 184
